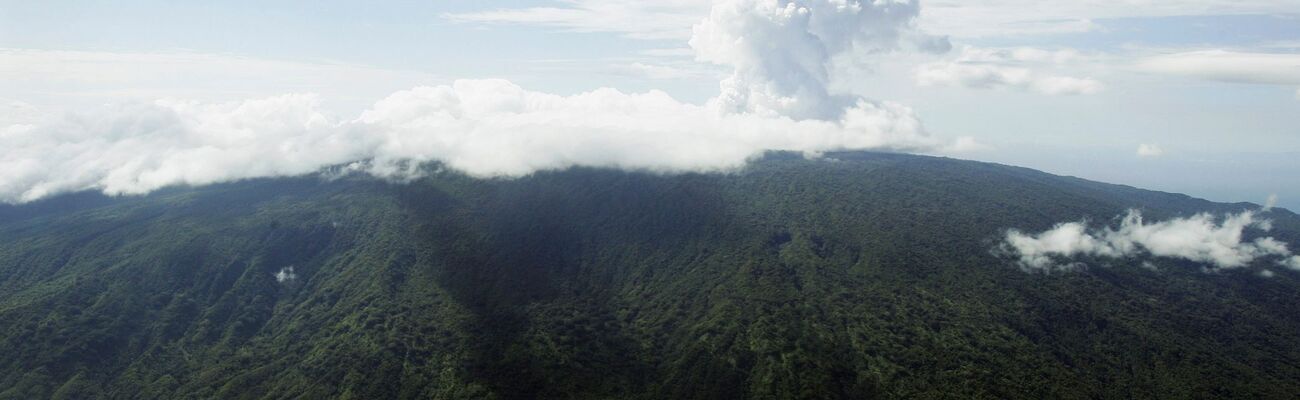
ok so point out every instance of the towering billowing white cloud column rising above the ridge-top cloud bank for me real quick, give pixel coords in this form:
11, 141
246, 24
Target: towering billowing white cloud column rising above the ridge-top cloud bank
782, 51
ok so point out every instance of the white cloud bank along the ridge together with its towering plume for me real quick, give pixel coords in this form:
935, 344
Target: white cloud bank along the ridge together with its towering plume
775, 101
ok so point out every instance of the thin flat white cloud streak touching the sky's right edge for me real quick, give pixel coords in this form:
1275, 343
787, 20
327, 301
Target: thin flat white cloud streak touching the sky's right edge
1229, 67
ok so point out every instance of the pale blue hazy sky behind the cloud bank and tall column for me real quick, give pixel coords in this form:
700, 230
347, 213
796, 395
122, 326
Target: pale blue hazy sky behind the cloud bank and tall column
1067, 88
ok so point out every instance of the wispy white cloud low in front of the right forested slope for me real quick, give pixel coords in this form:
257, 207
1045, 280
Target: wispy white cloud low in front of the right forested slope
1203, 238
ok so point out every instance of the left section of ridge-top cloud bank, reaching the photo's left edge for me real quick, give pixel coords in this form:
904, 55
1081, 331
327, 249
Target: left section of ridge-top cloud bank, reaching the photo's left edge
140, 147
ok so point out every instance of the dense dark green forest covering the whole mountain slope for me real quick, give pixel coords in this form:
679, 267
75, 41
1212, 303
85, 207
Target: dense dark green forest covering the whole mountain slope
870, 276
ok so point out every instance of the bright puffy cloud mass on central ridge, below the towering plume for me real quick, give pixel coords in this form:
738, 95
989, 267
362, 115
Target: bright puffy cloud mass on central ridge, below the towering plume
492, 128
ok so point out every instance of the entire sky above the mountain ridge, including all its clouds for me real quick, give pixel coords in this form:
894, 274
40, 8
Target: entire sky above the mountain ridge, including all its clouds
1195, 97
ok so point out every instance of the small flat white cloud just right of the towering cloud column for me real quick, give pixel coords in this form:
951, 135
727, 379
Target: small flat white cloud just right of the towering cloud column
1019, 69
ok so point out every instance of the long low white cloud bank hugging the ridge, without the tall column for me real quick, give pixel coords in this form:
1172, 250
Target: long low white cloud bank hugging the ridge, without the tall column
484, 128
